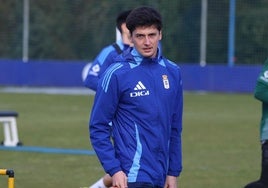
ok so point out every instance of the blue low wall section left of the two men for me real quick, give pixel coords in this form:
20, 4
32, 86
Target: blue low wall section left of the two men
41, 73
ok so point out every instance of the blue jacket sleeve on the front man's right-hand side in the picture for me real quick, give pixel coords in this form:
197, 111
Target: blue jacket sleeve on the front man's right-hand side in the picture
175, 153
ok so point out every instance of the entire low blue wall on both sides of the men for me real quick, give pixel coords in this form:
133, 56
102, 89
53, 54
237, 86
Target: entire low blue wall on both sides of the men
214, 78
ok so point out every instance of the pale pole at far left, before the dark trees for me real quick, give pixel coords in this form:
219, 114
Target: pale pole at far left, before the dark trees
25, 37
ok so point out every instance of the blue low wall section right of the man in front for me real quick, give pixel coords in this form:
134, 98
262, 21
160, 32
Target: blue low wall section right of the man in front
220, 78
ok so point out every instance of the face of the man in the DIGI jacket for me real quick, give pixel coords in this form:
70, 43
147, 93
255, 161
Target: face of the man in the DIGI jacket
145, 40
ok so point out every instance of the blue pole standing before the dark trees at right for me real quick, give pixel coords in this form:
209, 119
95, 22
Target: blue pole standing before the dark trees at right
231, 53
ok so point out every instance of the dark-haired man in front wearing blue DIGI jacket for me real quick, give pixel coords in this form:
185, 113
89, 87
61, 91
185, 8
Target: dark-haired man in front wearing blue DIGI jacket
142, 96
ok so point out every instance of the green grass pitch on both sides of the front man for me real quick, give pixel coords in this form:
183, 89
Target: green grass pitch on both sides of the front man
220, 140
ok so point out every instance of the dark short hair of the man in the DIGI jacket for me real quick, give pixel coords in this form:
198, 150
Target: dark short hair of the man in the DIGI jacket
144, 16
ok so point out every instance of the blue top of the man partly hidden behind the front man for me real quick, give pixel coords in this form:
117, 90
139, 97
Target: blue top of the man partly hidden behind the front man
104, 59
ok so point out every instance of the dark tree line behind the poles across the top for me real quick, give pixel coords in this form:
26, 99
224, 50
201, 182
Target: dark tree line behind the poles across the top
78, 29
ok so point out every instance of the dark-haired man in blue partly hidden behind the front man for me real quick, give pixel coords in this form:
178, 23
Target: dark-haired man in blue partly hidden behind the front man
106, 57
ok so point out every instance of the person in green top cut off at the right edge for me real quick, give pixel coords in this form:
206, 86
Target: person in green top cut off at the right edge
261, 93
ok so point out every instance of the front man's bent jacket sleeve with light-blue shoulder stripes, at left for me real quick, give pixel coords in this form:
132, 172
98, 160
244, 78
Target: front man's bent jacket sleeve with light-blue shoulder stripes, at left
105, 104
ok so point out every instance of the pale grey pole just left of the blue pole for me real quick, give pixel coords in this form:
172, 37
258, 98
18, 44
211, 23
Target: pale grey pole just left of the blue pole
203, 34
